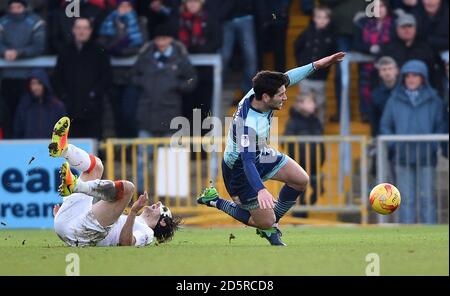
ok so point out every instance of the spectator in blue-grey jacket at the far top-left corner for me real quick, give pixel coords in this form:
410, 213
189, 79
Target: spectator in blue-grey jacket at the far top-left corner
22, 35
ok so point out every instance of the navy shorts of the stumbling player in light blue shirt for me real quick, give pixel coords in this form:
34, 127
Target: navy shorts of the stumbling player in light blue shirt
238, 186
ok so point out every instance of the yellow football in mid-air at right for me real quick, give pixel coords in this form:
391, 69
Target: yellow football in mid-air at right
385, 198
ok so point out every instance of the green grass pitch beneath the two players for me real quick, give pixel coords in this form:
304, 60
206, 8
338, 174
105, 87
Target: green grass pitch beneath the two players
403, 250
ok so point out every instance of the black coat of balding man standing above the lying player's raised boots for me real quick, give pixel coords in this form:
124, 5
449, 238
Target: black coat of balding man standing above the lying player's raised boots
81, 79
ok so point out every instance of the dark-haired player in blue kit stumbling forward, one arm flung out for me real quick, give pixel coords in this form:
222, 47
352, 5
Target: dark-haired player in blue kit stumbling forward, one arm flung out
249, 161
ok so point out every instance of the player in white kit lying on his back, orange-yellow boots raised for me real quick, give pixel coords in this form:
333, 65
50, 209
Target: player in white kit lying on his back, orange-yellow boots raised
91, 214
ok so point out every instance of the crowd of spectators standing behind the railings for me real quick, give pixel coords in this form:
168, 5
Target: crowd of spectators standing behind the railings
403, 91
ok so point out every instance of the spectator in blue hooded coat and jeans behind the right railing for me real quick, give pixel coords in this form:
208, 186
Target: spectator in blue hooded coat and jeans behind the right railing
415, 108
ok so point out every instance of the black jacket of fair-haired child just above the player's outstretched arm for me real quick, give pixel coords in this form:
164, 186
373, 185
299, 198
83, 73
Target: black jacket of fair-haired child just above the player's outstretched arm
313, 45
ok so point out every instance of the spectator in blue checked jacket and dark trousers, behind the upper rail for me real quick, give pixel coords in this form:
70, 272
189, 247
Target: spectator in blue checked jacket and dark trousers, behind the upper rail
121, 35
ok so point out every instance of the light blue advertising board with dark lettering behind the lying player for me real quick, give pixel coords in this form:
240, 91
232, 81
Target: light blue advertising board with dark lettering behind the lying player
29, 180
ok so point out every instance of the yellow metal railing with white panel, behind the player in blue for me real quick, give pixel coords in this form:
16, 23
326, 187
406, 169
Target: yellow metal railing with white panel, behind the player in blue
176, 176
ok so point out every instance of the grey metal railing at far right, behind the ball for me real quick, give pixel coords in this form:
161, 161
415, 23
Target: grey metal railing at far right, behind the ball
418, 166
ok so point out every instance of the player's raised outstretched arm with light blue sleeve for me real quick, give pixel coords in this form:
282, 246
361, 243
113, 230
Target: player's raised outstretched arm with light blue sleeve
298, 74
